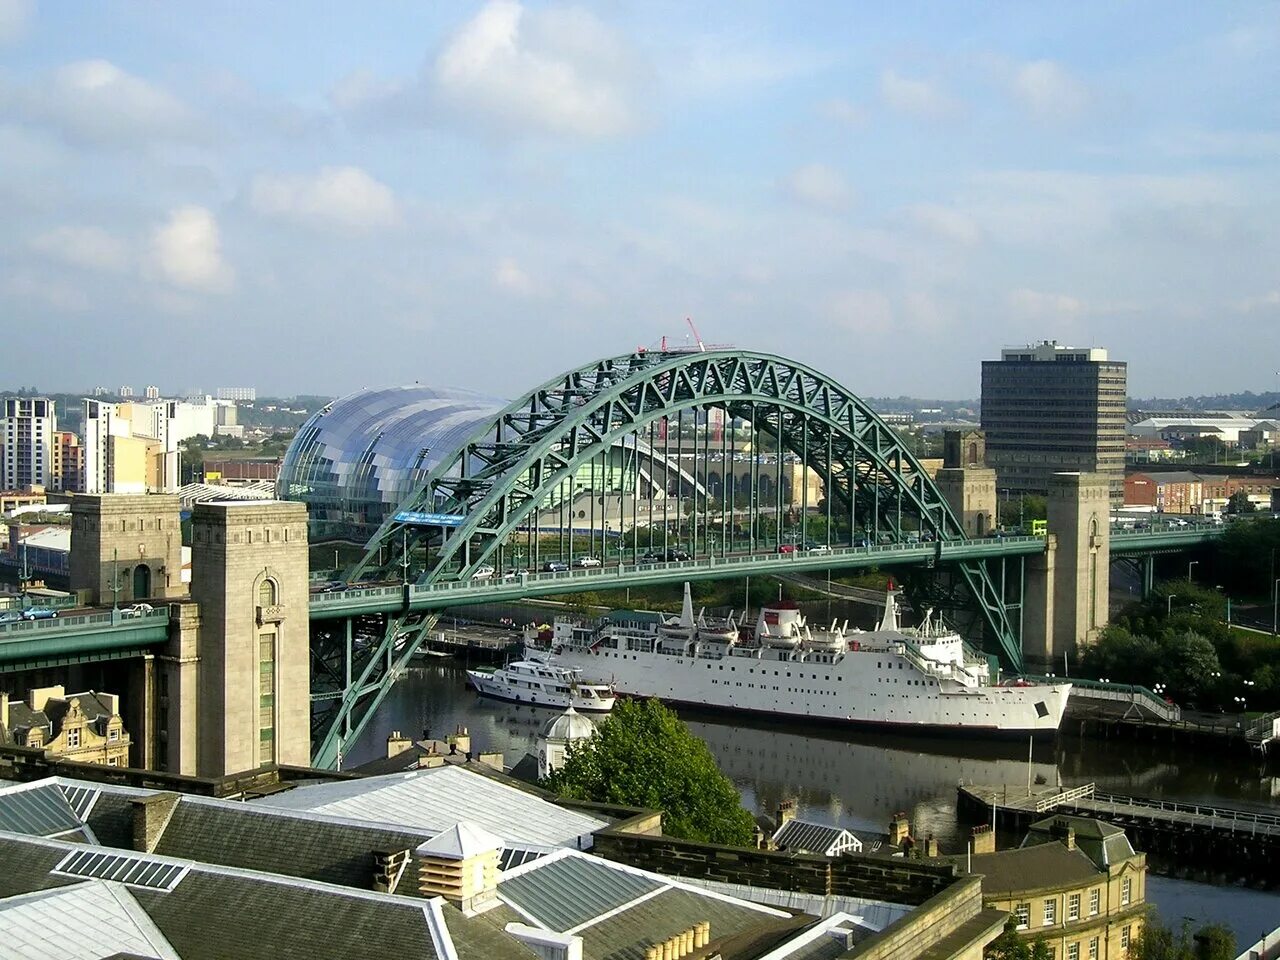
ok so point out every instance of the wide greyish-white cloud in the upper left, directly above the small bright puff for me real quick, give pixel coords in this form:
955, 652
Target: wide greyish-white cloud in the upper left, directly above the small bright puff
97, 102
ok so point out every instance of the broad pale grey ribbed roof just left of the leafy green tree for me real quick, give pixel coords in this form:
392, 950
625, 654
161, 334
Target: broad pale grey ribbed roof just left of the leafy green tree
437, 798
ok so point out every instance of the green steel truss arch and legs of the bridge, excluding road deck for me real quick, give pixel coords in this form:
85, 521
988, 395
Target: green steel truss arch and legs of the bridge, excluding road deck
538, 444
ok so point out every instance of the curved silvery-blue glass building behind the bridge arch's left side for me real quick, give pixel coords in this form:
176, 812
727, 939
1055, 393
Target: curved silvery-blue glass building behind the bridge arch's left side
358, 459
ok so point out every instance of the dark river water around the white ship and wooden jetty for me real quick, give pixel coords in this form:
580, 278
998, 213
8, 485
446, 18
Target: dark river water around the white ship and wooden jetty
862, 780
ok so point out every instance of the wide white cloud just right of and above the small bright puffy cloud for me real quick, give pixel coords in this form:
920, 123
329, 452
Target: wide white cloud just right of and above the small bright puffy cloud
342, 196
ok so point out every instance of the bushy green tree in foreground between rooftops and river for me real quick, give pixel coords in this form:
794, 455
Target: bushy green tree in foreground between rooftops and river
644, 756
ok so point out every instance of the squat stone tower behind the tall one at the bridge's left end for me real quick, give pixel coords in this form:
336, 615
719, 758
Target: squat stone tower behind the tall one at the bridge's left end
127, 548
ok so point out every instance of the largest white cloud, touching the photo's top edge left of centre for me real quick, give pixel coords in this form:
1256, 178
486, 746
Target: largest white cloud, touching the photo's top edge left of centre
552, 72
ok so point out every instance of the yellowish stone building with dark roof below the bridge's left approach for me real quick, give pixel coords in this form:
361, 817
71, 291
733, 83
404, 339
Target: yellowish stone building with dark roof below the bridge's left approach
84, 728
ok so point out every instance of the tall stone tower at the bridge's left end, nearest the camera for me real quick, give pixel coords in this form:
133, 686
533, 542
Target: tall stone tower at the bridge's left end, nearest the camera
250, 578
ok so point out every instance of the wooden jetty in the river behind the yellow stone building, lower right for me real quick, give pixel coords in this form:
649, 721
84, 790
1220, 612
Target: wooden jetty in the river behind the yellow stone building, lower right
1181, 840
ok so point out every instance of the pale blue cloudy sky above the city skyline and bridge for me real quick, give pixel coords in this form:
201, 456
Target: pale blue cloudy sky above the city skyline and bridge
316, 198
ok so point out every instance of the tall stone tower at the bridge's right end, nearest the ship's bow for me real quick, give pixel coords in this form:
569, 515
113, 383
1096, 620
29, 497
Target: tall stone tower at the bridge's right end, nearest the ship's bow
1080, 516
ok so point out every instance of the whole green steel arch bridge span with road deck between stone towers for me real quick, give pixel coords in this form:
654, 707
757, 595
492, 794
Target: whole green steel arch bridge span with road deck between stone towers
484, 510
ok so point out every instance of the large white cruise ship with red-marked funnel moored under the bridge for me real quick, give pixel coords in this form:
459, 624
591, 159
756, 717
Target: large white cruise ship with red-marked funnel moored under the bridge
925, 679
